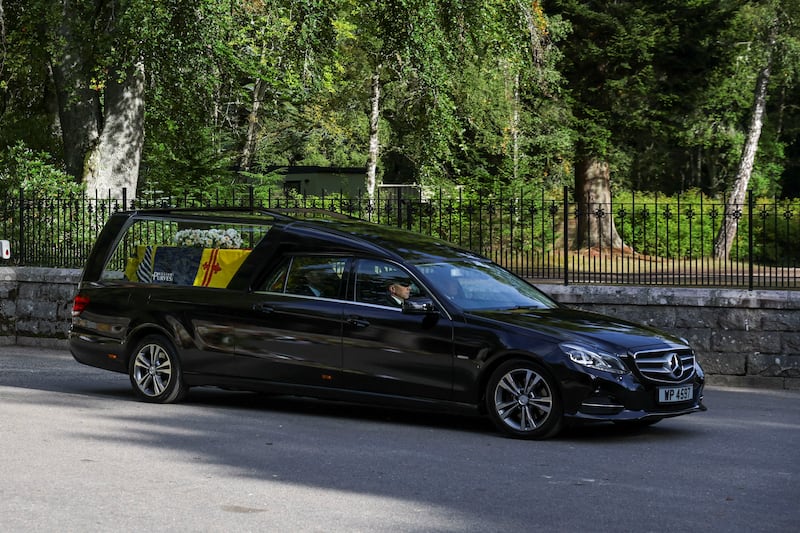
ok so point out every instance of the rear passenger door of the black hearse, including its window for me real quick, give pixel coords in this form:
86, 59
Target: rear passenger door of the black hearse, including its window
288, 332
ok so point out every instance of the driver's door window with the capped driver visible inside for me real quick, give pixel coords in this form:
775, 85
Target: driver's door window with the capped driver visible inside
383, 283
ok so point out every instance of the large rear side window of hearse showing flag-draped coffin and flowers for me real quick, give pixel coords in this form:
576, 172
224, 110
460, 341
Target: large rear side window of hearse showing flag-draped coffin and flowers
182, 252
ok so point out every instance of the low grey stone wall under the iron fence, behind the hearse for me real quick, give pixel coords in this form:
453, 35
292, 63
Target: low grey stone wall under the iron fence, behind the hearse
742, 338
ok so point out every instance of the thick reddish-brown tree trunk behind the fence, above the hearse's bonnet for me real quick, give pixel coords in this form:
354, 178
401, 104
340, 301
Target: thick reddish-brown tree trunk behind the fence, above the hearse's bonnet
596, 227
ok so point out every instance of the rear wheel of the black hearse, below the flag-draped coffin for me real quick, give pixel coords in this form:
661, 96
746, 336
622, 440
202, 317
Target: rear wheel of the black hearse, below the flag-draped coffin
155, 371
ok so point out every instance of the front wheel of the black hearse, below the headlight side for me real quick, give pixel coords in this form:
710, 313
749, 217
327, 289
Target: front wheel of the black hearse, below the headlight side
523, 401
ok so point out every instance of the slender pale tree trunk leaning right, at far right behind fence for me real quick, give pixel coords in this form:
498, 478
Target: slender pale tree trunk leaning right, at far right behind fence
730, 223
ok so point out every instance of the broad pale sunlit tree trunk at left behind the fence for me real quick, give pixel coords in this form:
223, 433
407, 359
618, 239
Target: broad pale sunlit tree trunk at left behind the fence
113, 163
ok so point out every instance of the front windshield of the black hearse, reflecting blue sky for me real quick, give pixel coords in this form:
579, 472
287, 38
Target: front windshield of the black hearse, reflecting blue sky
481, 285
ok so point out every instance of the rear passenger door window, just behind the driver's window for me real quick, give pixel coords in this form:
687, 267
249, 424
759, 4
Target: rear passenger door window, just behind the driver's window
317, 276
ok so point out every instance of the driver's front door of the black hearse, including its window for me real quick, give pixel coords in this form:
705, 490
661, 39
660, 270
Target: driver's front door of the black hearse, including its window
389, 352
